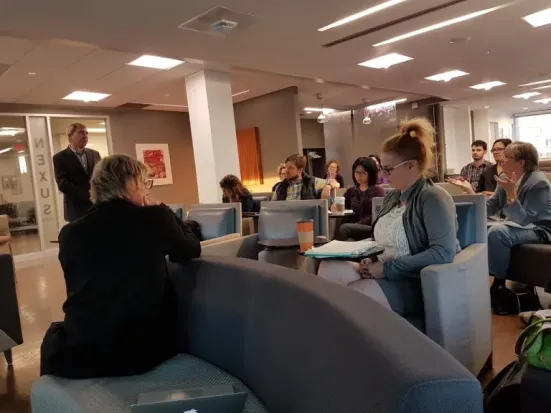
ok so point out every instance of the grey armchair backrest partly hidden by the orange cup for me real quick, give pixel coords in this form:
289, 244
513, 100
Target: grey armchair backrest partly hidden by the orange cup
277, 220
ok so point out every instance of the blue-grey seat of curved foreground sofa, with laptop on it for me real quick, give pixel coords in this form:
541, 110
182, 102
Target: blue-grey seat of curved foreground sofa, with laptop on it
116, 395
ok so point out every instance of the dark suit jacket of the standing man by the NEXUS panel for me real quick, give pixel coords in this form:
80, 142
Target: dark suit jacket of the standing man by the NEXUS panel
74, 181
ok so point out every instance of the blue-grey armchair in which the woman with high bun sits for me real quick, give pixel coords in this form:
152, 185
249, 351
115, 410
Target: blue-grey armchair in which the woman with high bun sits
457, 296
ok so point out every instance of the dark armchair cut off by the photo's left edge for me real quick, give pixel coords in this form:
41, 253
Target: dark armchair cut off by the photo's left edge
10, 323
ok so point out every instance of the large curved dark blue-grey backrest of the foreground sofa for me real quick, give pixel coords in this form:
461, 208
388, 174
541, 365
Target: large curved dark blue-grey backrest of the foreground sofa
303, 344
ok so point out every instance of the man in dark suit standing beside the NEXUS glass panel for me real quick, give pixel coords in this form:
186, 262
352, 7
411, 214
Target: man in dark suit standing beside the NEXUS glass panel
73, 169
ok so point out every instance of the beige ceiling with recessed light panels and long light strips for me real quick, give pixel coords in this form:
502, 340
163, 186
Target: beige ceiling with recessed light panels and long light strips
88, 47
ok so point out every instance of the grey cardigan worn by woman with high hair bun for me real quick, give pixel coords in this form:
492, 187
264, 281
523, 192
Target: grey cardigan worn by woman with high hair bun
430, 222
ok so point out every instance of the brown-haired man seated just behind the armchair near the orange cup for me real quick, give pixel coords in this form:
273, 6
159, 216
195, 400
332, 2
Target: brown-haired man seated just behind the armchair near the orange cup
298, 185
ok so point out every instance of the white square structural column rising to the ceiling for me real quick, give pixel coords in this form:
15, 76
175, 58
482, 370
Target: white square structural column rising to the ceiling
212, 131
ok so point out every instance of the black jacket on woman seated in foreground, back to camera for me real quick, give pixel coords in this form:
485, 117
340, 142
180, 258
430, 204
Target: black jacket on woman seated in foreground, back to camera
120, 313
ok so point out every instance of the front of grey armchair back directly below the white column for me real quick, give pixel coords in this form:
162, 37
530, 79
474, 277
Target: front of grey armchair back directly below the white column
215, 222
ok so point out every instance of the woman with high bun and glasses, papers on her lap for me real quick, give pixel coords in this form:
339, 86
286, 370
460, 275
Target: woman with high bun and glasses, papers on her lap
417, 226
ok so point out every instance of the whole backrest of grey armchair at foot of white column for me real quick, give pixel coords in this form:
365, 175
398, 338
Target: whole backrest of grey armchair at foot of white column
217, 220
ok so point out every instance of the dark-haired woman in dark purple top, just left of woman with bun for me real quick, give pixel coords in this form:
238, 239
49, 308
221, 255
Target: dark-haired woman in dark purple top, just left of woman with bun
359, 197
